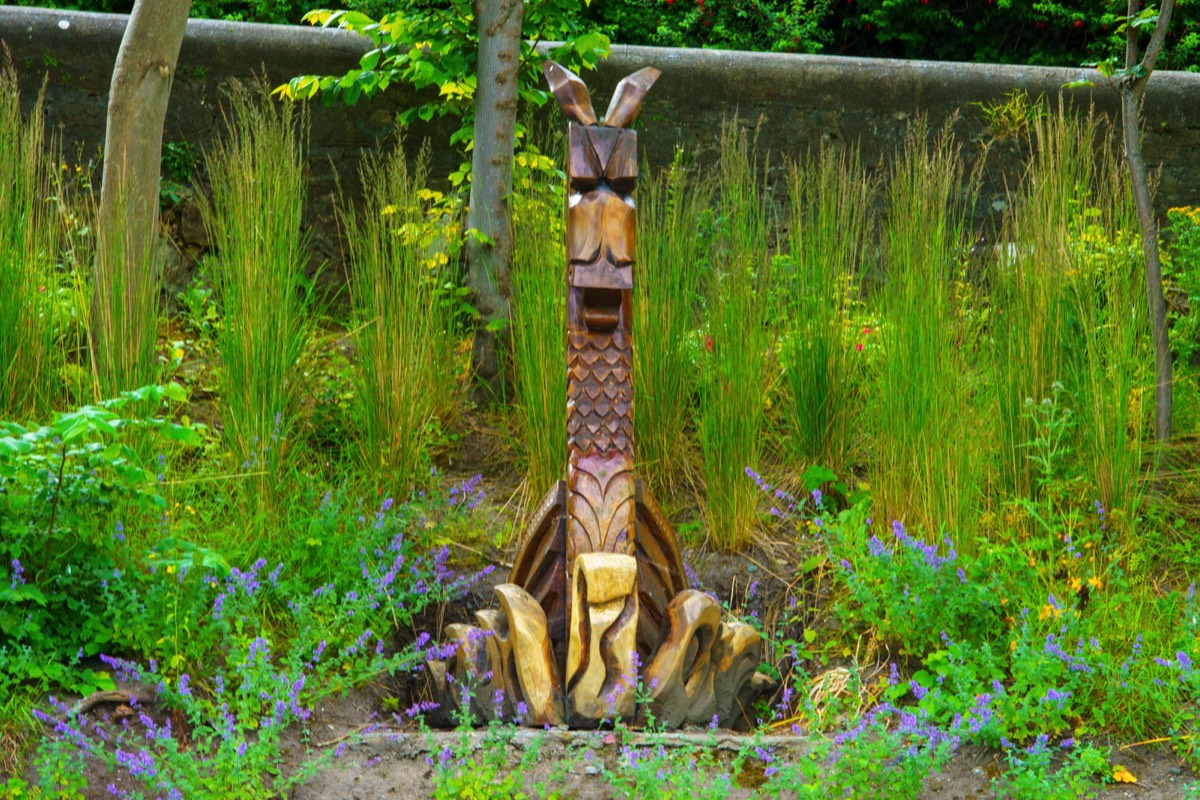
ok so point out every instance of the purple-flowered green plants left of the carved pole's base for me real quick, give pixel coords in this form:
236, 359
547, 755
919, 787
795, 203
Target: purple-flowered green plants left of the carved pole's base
238, 677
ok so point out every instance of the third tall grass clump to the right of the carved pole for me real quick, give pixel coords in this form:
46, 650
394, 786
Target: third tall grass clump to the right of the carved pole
830, 232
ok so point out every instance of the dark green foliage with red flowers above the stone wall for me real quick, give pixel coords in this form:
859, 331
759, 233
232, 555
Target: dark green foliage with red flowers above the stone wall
1059, 33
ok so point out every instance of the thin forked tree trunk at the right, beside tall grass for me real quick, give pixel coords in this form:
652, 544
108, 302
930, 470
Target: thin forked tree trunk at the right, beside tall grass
1132, 89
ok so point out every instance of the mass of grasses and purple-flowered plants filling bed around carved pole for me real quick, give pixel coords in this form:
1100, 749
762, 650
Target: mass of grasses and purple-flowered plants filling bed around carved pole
982, 546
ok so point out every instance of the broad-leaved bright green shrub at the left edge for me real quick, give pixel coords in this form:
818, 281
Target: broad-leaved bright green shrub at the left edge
61, 486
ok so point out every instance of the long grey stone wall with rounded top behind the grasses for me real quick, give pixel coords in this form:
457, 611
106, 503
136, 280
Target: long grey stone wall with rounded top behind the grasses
797, 103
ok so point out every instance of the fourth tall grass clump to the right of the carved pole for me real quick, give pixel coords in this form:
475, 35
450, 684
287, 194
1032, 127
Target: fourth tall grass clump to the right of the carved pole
928, 449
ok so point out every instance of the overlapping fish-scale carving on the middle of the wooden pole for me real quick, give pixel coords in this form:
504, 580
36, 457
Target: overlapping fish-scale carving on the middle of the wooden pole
601, 393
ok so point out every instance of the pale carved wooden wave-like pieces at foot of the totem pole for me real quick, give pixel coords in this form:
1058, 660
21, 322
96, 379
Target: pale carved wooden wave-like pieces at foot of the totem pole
705, 670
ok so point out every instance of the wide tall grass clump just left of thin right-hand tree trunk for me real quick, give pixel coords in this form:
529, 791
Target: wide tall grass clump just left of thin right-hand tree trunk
1069, 308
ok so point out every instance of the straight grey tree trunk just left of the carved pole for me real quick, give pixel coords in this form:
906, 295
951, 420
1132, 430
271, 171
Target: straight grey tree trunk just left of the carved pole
496, 107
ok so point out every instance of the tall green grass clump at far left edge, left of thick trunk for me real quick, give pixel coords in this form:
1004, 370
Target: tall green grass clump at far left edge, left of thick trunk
29, 244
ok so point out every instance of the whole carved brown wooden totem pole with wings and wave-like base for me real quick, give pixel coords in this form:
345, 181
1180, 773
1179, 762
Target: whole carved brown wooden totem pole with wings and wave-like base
598, 600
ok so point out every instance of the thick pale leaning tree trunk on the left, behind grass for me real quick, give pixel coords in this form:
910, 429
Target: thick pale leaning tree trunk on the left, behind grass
129, 201
